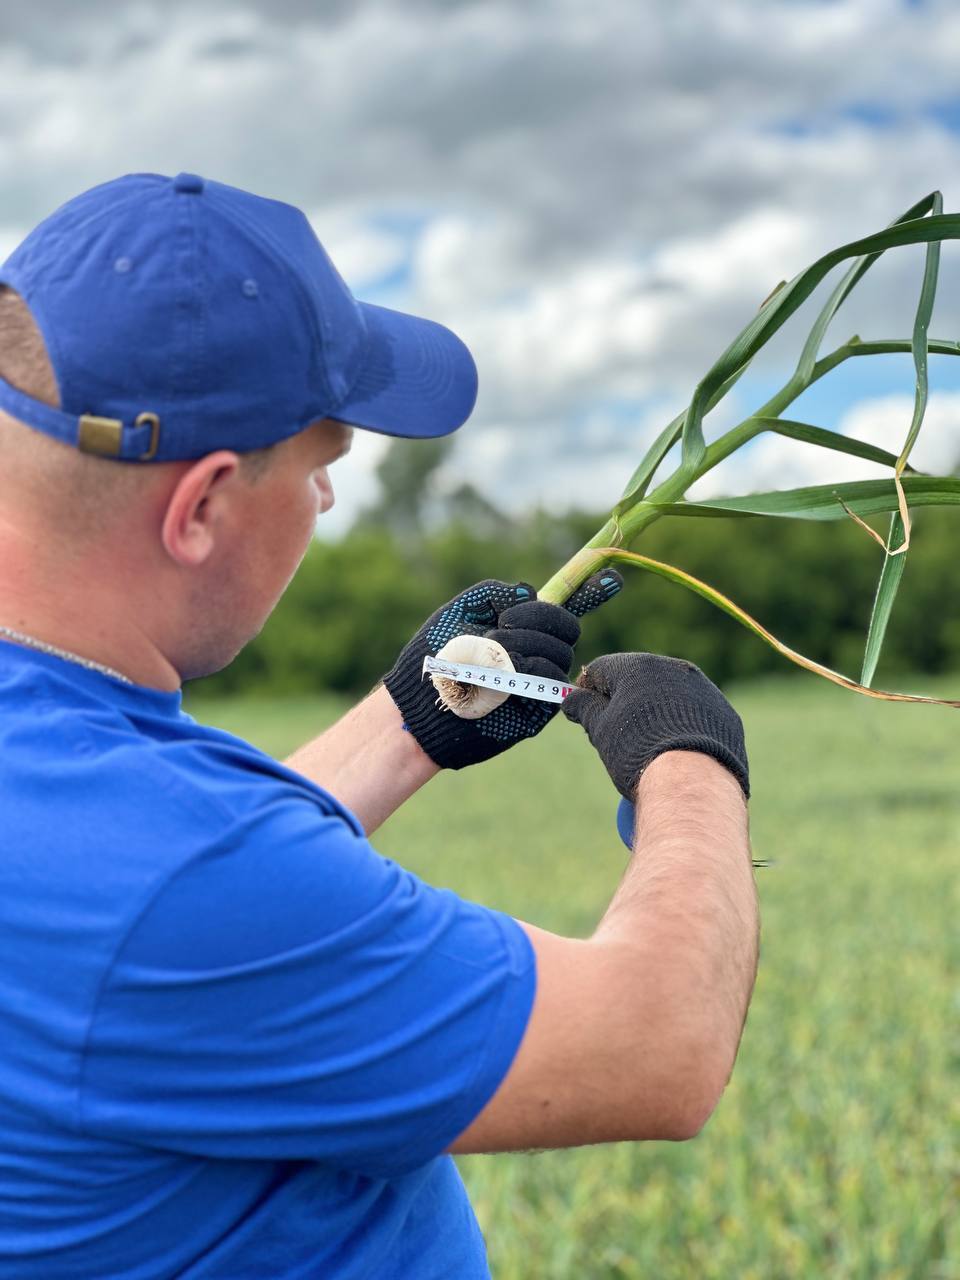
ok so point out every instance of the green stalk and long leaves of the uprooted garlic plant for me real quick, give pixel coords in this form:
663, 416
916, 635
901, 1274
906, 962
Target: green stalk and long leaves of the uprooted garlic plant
641, 505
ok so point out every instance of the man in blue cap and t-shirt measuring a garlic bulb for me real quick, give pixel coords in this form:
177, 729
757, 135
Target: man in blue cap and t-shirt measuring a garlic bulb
236, 1041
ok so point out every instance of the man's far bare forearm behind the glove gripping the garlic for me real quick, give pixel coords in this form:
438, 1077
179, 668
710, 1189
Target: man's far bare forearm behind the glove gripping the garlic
367, 761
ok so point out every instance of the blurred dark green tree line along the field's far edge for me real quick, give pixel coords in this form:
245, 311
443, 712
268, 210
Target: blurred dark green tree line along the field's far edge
356, 602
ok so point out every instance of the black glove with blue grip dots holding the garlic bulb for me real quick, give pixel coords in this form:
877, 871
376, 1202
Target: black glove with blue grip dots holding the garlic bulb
540, 639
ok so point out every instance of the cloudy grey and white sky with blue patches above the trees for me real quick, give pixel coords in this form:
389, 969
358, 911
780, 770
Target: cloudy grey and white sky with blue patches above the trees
596, 196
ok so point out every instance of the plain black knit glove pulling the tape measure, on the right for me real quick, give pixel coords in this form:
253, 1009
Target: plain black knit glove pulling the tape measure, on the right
637, 706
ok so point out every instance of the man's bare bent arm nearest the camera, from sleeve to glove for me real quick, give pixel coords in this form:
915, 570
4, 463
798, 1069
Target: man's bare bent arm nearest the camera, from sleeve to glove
634, 1031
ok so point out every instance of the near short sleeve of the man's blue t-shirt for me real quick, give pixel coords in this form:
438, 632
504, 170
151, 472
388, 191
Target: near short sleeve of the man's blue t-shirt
292, 995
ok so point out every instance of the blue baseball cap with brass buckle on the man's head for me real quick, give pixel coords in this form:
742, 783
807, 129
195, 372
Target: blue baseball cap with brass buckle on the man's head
182, 316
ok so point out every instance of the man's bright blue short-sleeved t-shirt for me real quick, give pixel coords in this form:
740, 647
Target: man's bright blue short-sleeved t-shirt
235, 1041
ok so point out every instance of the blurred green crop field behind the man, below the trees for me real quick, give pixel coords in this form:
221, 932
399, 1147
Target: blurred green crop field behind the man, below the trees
836, 1149
